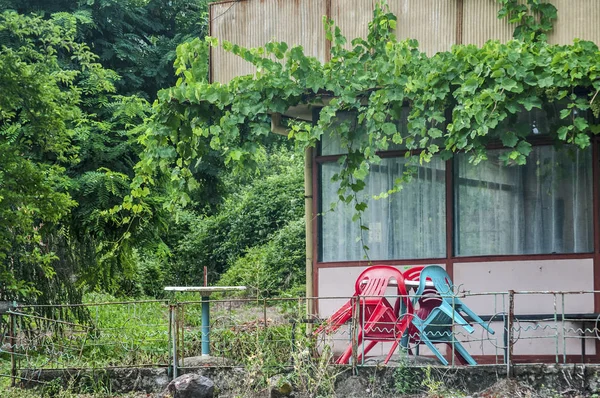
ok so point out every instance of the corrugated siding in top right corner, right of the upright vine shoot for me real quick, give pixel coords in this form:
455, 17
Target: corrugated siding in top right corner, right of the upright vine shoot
576, 19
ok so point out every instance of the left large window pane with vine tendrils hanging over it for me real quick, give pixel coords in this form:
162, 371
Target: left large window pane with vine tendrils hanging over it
409, 224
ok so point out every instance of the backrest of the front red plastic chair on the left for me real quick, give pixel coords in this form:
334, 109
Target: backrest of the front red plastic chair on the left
375, 280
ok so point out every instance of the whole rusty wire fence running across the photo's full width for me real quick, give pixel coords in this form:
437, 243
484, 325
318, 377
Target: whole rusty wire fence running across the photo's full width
516, 327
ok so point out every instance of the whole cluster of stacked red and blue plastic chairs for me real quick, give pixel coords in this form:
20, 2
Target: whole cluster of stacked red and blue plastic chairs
428, 317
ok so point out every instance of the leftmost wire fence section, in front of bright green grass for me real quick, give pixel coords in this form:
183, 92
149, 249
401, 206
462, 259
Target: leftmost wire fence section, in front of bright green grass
84, 336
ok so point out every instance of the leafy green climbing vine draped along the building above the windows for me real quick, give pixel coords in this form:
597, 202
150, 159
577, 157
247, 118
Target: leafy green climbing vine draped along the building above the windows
453, 101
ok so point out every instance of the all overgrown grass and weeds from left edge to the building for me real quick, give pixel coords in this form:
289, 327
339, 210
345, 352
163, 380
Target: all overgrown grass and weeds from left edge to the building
255, 334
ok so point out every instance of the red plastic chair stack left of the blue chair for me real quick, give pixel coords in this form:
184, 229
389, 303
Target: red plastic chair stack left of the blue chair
379, 320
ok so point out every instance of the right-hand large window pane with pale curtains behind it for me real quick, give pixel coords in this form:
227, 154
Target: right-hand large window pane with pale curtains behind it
542, 207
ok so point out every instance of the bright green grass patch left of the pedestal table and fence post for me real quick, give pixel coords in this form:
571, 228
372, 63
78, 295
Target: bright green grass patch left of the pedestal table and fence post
114, 335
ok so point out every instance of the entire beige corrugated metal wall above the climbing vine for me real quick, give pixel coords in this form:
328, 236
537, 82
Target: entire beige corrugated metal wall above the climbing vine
436, 24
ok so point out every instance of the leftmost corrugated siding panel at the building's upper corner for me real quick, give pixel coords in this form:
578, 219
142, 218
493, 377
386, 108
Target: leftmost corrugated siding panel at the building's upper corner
252, 23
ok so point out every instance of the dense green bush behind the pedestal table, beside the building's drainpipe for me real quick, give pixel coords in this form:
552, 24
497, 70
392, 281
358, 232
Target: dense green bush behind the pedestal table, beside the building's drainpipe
257, 207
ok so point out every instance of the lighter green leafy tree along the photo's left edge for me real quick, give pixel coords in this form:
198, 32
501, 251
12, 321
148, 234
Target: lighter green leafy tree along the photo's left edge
40, 120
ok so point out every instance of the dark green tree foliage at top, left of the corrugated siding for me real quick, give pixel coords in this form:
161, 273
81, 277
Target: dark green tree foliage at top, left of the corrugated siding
137, 39
